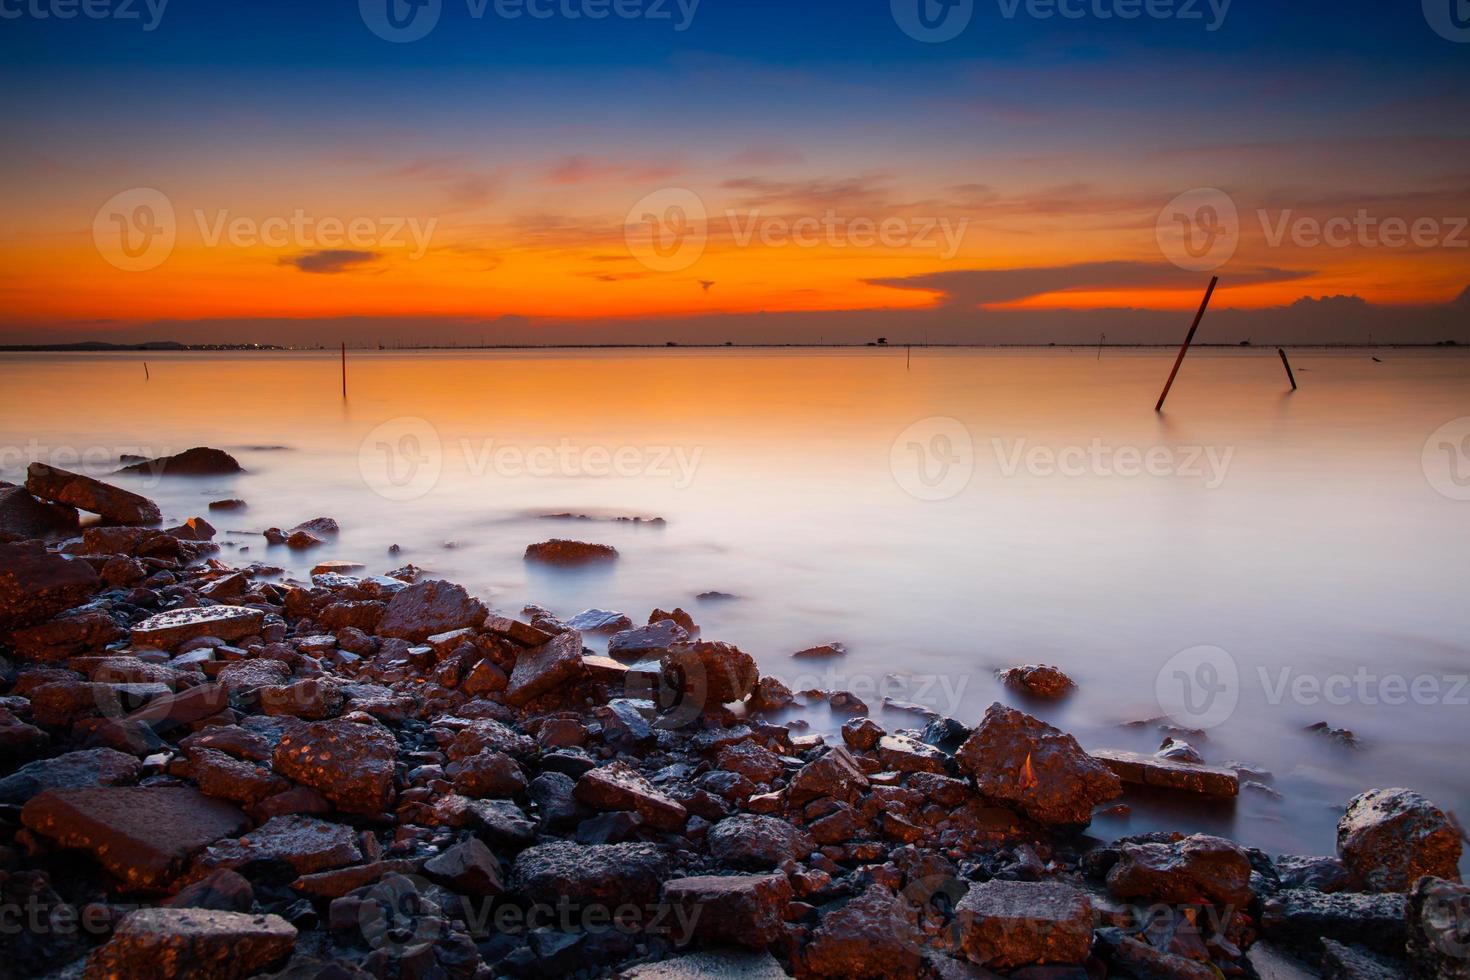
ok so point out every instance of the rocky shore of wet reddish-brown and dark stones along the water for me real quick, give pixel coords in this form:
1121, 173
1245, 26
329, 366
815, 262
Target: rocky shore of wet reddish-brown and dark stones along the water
212, 771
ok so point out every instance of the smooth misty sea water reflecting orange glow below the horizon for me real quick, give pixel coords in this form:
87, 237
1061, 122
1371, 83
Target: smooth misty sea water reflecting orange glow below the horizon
942, 516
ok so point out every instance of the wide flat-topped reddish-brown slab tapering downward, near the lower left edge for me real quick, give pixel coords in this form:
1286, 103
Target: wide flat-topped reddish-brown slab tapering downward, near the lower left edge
142, 835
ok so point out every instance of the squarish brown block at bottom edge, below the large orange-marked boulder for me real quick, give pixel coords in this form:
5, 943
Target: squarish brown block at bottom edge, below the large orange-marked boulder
1009, 925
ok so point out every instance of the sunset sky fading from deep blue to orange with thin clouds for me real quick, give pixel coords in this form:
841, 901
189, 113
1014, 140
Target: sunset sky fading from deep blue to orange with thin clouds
1008, 184
